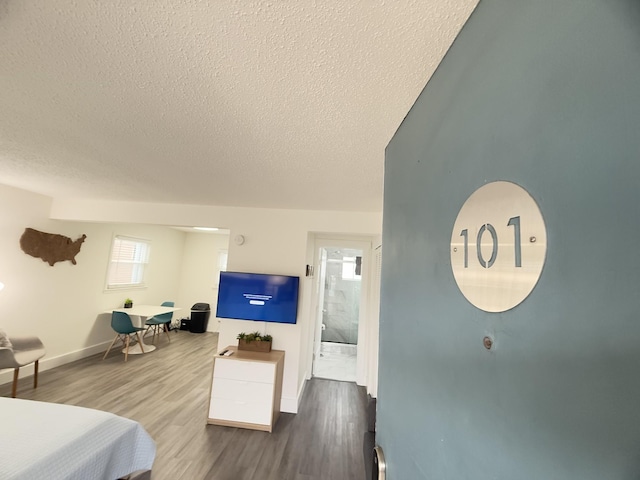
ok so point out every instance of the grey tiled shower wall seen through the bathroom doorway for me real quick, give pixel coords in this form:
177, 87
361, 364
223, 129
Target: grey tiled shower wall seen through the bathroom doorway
341, 307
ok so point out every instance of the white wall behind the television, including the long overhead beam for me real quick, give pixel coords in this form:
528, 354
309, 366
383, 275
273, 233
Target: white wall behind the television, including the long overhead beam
276, 242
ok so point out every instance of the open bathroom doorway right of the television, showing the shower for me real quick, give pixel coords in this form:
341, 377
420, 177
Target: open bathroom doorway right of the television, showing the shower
338, 313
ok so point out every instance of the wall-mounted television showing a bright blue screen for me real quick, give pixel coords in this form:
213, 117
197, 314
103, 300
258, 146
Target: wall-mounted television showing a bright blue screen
258, 296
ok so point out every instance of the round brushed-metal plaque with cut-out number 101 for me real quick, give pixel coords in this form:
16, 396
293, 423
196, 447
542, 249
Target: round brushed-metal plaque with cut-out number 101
498, 246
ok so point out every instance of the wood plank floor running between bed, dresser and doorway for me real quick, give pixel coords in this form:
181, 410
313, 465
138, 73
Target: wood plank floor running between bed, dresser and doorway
167, 391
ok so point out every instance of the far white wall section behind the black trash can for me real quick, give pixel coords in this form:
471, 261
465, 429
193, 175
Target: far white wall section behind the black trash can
199, 273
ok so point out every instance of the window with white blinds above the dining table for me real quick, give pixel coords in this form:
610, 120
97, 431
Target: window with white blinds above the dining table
129, 257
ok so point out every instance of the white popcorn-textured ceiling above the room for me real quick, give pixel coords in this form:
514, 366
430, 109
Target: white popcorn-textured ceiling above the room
280, 104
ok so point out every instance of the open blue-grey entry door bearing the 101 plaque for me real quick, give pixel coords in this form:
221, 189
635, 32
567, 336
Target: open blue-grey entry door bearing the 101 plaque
544, 94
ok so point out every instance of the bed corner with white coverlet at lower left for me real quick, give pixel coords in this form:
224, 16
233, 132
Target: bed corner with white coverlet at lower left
55, 441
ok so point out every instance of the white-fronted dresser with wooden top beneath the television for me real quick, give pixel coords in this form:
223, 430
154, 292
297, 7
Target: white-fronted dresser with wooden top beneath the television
246, 388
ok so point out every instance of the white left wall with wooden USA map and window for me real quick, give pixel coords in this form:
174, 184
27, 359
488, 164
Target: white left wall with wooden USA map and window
63, 304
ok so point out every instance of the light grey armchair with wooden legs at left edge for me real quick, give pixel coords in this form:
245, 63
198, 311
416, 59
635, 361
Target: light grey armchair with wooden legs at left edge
16, 352
